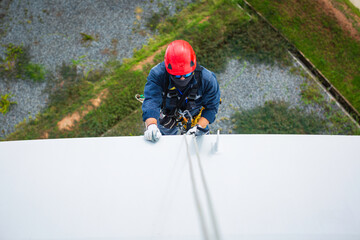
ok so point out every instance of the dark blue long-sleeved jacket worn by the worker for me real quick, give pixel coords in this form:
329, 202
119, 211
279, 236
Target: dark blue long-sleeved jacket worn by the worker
208, 94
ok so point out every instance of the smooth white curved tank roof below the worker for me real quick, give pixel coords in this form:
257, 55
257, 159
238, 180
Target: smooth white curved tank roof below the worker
259, 187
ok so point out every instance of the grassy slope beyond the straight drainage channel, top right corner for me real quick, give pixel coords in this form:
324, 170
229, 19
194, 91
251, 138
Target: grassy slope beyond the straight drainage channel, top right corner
333, 51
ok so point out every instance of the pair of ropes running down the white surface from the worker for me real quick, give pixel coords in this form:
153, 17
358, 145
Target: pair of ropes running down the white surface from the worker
209, 206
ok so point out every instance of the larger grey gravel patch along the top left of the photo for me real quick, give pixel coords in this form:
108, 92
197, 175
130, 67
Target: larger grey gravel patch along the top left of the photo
53, 28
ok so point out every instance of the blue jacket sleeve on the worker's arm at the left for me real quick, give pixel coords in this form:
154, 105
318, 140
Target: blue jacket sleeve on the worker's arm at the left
153, 95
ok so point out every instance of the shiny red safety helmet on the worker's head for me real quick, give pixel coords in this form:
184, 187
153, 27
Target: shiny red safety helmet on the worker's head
180, 58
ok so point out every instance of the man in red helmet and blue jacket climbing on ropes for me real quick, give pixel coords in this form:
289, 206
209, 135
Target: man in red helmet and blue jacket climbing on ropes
179, 85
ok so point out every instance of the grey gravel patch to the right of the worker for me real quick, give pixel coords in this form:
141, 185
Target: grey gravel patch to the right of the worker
246, 85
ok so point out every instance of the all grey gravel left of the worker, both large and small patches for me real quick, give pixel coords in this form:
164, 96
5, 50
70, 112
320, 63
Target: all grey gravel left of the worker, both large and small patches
52, 30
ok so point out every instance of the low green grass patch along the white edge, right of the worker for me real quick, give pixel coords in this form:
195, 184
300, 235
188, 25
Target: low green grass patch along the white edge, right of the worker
279, 118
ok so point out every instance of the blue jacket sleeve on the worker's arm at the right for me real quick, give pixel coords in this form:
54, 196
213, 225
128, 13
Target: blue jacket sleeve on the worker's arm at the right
211, 96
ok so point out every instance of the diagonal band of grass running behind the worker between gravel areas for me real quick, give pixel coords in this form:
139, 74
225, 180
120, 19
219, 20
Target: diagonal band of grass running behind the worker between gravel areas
217, 30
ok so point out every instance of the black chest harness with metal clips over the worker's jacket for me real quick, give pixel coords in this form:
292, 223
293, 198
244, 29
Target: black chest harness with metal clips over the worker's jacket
173, 112
